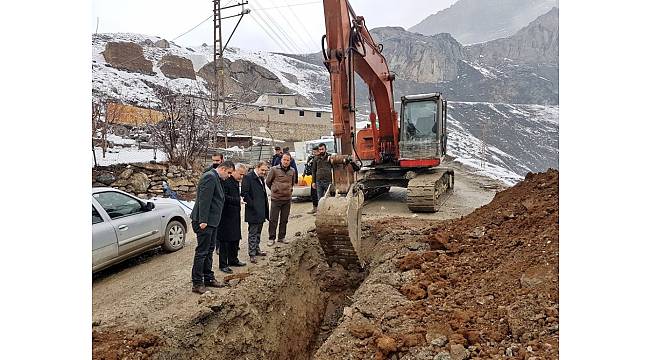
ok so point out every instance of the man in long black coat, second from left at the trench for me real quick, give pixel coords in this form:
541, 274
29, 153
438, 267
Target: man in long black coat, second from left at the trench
229, 231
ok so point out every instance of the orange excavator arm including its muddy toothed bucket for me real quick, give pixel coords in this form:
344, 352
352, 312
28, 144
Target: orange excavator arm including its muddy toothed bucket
350, 49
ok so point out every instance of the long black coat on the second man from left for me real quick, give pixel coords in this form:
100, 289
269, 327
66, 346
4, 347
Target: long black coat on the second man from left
230, 226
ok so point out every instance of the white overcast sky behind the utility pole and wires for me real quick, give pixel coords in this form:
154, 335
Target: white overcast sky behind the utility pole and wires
273, 25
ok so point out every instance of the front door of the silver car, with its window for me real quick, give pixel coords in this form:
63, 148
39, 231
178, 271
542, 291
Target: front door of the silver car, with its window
135, 227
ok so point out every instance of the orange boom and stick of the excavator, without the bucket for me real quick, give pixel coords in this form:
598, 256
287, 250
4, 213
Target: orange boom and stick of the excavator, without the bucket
351, 49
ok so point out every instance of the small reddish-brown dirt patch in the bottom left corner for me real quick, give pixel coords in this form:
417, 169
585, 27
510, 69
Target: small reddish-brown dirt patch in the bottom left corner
109, 344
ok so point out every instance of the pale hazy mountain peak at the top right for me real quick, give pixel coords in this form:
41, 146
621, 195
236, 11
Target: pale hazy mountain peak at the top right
475, 21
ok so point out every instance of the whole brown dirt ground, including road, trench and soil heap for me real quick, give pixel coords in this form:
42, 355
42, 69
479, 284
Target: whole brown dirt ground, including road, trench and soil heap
434, 284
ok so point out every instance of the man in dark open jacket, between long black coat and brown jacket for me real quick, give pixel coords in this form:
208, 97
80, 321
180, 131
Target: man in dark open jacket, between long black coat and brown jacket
253, 191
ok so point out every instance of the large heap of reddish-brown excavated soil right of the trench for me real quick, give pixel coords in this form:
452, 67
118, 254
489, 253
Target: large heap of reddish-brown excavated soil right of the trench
484, 286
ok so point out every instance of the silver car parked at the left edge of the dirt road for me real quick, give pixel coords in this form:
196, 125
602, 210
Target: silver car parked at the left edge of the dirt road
125, 226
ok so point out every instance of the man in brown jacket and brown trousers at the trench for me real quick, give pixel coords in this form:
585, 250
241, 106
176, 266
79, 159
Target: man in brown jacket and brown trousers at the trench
280, 181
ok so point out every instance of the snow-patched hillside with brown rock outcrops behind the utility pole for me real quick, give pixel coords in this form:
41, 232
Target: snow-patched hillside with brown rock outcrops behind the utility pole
129, 67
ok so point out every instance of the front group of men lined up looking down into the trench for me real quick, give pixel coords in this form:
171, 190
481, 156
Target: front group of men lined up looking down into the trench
216, 216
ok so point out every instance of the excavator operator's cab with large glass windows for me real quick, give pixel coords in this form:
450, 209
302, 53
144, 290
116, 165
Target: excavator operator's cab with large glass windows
422, 130
